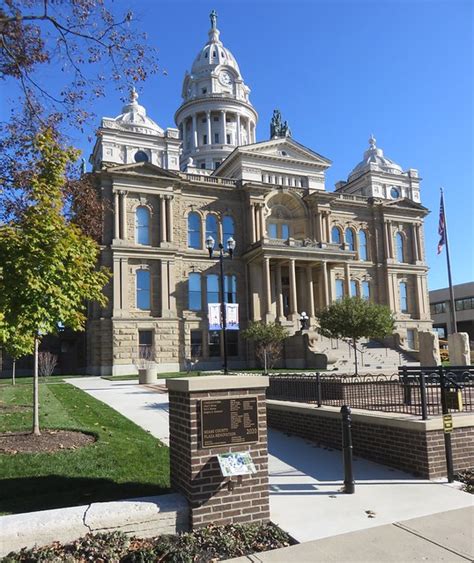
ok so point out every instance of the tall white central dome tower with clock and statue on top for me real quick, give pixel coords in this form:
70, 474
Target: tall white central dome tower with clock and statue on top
216, 115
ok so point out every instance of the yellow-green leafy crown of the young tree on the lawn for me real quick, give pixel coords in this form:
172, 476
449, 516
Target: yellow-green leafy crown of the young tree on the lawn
48, 265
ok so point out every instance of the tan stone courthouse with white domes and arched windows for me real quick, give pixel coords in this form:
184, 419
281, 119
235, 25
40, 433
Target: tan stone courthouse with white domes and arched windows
299, 244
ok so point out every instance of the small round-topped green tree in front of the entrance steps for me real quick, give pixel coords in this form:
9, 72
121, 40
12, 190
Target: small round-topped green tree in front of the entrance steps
354, 318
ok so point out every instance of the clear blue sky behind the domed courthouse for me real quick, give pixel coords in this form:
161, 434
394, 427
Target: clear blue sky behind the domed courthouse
338, 71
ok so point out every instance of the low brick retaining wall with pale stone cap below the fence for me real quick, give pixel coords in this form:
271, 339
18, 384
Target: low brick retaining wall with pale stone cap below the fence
397, 440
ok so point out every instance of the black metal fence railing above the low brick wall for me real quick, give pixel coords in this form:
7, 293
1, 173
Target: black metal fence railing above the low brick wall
413, 390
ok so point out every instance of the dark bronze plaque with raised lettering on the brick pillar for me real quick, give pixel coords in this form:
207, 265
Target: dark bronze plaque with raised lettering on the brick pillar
229, 421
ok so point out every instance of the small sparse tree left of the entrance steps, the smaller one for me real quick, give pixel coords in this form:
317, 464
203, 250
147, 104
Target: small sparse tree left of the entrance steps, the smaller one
268, 339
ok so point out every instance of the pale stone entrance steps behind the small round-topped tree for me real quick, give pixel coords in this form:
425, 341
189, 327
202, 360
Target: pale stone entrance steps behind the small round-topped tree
372, 356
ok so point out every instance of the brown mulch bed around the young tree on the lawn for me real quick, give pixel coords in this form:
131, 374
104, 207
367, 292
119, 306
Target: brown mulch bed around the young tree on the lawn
49, 441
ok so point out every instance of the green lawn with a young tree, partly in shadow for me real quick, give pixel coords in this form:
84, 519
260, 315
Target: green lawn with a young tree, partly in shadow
124, 462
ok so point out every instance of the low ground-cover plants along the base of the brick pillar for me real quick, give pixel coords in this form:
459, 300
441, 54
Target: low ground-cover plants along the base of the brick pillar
208, 544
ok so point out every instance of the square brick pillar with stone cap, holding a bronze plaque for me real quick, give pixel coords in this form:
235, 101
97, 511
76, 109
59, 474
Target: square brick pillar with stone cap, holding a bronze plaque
210, 418
